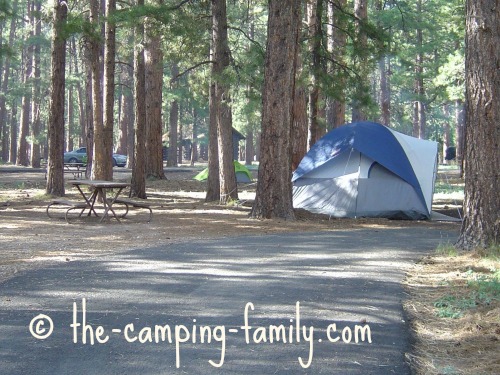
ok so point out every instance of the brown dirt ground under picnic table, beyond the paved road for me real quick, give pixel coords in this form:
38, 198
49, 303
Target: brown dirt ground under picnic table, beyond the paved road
29, 238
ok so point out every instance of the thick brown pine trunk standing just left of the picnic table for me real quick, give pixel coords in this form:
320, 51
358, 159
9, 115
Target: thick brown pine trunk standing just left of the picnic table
55, 172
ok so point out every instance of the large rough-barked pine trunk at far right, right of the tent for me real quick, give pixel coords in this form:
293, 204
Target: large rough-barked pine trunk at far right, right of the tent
481, 225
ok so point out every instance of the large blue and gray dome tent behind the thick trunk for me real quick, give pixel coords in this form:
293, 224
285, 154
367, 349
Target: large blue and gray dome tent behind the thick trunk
365, 169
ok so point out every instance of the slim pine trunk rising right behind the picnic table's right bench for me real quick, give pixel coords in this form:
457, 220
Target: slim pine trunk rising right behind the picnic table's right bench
138, 185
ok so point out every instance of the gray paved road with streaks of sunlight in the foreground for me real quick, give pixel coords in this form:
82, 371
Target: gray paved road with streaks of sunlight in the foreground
200, 289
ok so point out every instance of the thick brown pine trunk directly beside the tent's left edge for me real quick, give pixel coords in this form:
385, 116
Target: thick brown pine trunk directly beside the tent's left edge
274, 187
